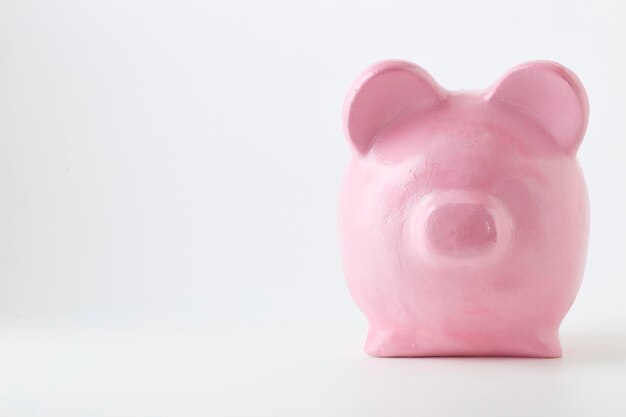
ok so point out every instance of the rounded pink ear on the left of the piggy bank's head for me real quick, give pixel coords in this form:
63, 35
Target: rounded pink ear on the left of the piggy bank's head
382, 93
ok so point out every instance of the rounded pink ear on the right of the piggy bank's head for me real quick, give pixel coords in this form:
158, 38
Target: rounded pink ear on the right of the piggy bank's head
552, 95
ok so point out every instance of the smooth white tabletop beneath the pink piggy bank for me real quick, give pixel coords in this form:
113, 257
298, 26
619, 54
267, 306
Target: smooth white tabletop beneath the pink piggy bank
53, 369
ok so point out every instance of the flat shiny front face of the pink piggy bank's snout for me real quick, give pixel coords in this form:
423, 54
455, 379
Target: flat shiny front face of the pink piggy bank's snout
461, 229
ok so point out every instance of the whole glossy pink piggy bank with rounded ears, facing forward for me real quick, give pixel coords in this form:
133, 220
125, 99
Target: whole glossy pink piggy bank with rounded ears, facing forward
464, 215
